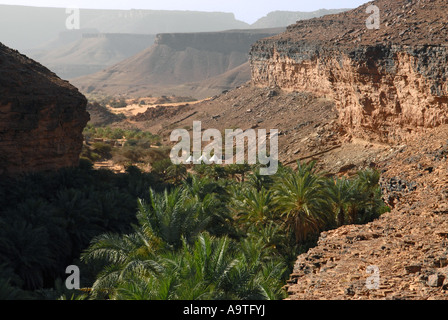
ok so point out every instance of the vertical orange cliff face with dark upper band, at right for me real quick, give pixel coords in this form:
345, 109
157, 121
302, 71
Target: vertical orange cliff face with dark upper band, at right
387, 92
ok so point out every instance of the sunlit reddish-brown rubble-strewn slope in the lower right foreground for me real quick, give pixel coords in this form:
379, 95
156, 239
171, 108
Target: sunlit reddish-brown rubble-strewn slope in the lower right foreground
401, 256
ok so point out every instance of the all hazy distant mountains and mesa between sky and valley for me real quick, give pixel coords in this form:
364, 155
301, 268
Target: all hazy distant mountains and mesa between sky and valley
194, 63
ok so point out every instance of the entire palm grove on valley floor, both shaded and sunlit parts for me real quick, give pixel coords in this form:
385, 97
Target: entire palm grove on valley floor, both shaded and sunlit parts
220, 233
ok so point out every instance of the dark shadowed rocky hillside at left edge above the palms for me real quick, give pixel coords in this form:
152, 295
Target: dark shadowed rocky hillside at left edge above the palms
41, 117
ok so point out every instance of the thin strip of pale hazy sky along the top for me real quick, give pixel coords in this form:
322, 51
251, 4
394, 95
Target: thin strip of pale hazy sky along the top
245, 10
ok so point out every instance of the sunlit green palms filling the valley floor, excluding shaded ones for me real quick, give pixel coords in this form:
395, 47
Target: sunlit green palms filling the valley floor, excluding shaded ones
211, 236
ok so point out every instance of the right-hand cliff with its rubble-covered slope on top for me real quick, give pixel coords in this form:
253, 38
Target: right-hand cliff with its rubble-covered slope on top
387, 83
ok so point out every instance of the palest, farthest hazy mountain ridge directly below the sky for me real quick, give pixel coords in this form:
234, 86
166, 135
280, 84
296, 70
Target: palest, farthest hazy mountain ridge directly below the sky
26, 27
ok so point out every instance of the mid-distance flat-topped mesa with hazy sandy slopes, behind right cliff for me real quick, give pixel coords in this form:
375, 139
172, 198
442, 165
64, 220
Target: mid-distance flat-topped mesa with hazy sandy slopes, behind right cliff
196, 64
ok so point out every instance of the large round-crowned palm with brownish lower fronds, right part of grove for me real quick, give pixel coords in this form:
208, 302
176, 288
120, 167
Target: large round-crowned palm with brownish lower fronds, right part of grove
301, 198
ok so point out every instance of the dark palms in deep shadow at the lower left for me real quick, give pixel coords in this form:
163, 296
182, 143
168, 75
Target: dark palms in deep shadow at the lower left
48, 219
